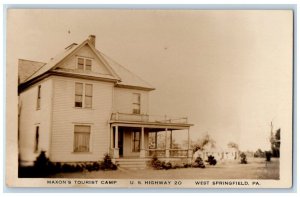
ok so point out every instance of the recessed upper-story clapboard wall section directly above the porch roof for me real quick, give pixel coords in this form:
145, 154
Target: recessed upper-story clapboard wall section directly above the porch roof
123, 99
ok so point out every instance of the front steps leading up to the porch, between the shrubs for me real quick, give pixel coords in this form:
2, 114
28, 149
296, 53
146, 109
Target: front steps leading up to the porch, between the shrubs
132, 163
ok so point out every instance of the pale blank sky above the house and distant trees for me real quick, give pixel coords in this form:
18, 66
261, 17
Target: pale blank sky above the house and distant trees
229, 72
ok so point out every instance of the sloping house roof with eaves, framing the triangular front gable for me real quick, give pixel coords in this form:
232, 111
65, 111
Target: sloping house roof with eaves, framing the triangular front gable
122, 76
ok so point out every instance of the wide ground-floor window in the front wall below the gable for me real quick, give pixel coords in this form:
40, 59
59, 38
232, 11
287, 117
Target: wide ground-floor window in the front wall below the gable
82, 138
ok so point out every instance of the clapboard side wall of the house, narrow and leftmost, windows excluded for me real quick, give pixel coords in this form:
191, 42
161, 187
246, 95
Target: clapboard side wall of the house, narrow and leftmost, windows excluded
30, 118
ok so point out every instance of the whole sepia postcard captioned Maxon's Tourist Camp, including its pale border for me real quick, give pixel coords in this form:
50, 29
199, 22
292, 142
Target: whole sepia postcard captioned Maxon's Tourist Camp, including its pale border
118, 98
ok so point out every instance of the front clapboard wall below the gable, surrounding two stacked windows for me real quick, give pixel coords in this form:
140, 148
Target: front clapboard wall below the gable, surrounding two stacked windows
65, 116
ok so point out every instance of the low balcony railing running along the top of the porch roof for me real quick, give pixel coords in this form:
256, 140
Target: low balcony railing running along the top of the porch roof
147, 118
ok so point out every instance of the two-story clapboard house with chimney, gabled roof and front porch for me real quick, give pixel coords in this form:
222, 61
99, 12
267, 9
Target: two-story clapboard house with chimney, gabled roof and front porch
81, 105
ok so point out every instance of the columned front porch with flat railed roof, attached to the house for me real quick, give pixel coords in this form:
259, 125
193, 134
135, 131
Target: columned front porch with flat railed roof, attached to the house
136, 136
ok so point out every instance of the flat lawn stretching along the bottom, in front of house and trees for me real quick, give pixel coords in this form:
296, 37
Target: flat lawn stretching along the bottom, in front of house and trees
255, 169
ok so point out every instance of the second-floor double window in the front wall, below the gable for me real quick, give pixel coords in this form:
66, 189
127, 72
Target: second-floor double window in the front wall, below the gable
83, 95
